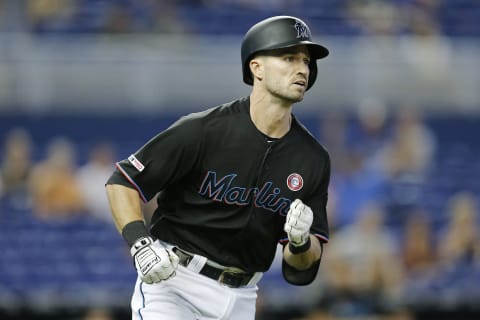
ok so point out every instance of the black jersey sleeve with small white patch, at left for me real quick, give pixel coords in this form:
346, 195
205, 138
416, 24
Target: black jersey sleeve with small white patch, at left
163, 160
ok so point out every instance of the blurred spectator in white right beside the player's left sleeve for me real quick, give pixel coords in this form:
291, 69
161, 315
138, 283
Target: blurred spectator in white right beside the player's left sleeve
91, 179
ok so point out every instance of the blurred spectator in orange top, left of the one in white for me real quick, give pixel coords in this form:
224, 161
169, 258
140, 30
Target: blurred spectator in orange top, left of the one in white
53, 182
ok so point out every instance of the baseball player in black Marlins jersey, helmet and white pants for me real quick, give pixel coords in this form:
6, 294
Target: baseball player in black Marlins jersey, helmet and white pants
233, 182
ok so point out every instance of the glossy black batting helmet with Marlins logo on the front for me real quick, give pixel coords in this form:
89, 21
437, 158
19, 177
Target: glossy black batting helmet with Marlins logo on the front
277, 33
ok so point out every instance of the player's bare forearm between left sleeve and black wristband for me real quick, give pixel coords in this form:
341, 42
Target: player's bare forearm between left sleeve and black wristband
124, 204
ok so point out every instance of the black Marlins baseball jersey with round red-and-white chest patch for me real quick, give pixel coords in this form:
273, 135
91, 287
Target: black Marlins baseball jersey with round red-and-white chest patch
225, 188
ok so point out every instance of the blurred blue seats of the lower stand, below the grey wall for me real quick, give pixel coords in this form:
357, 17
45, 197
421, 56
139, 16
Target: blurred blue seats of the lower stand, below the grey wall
84, 260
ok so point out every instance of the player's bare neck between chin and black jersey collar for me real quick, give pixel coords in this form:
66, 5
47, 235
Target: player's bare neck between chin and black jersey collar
272, 119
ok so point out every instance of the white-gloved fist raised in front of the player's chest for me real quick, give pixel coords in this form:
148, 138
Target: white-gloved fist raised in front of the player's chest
298, 223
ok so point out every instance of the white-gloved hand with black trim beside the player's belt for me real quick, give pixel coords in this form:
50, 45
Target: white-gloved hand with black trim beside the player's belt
153, 262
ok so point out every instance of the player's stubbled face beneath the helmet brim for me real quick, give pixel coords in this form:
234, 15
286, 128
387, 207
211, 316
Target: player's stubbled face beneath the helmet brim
286, 73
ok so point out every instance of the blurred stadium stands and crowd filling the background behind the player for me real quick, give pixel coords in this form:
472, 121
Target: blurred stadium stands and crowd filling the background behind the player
83, 83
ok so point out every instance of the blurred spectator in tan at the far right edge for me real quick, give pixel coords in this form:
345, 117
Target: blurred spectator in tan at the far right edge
459, 242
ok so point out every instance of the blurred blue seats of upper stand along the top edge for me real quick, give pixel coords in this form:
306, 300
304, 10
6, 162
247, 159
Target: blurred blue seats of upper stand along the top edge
455, 18
